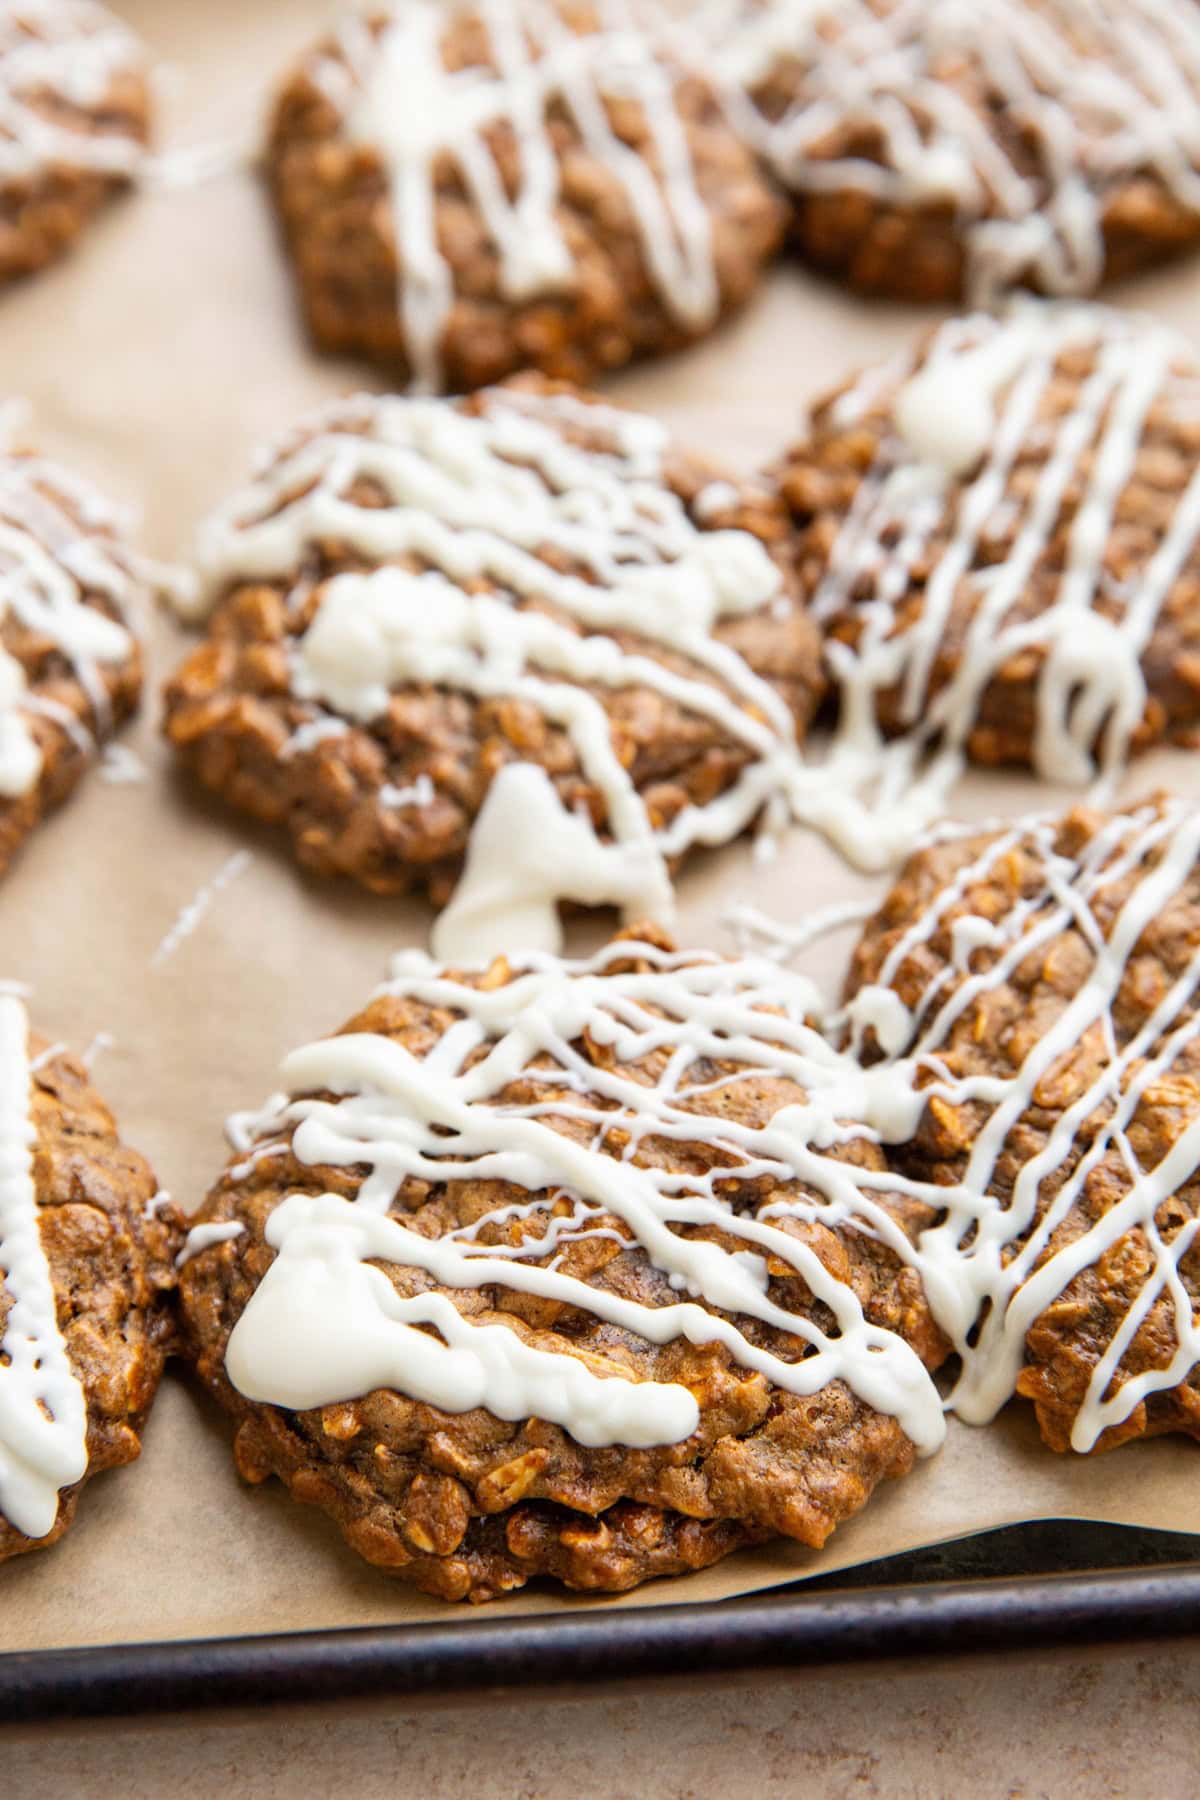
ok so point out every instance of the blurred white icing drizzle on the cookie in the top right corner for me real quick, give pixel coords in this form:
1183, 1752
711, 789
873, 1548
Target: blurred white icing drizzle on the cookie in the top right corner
1107, 91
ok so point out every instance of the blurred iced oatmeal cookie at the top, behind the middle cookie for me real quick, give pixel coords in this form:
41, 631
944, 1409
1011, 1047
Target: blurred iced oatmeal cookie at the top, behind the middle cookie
490, 186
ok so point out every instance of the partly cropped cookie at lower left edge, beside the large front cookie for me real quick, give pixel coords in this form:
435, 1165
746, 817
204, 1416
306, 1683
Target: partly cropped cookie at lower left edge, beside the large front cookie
85, 1282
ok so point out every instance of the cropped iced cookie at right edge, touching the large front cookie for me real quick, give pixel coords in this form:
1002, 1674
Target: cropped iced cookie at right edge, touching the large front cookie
1039, 984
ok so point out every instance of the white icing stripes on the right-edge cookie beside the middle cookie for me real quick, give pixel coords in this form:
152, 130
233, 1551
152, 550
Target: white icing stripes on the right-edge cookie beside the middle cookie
965, 417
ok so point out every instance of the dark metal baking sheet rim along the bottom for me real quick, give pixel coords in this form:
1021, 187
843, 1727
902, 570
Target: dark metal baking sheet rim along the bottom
784, 1630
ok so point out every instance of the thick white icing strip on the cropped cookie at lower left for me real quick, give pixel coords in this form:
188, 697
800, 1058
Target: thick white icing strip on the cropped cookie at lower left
44, 1425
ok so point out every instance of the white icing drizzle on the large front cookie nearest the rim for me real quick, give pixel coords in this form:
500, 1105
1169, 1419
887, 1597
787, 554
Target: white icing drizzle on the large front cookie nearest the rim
323, 1326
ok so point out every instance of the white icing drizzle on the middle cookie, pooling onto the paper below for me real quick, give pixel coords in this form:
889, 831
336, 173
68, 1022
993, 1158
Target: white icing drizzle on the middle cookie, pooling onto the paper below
483, 498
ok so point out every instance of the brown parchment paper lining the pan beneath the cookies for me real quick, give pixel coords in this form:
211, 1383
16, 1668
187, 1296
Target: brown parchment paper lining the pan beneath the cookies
157, 359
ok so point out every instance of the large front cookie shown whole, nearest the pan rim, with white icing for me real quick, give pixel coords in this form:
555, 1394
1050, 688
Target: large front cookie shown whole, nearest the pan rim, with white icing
528, 1273
